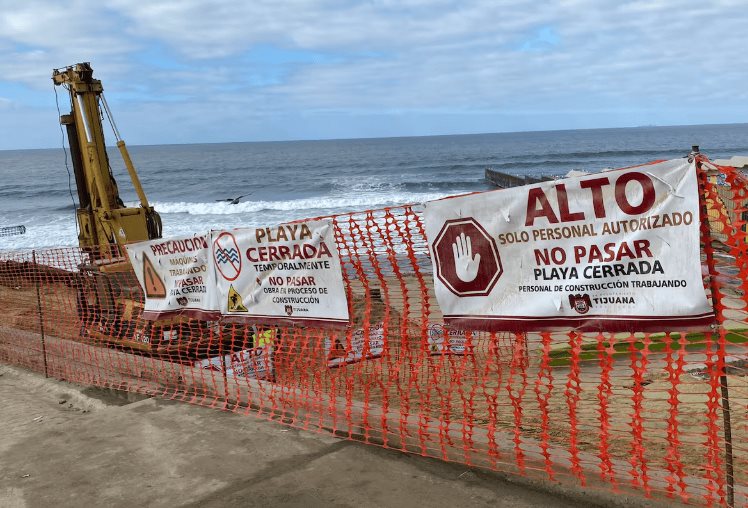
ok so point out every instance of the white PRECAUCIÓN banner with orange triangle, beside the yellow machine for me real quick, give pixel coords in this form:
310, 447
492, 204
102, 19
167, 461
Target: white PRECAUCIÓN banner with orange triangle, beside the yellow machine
176, 275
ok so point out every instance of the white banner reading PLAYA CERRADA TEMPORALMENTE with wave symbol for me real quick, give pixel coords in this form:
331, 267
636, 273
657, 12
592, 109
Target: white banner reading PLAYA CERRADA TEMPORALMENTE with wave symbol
287, 273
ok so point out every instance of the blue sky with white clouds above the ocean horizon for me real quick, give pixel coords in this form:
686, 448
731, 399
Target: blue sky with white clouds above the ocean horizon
199, 71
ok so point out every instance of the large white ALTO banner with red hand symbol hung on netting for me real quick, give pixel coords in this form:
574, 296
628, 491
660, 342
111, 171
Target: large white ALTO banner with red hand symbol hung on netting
618, 250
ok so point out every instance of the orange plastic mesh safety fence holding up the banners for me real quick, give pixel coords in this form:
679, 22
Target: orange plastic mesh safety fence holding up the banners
644, 412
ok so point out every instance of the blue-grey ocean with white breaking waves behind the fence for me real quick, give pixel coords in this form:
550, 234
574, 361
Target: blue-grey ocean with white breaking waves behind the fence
288, 180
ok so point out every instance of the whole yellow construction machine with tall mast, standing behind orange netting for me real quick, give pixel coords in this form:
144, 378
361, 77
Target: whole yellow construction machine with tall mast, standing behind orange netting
109, 298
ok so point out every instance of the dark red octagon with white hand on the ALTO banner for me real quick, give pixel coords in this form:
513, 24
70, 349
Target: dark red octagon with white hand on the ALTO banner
466, 258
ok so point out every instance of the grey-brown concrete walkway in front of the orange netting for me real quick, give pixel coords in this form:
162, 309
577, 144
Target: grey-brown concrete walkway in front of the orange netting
67, 446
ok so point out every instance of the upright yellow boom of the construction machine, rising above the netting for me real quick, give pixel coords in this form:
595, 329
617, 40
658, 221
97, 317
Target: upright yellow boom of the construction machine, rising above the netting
105, 223
